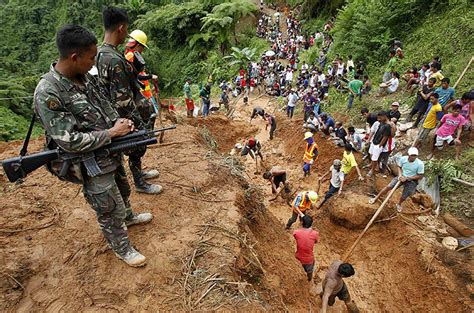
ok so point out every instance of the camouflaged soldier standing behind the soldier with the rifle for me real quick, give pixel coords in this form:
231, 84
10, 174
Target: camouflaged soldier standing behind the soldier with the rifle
121, 84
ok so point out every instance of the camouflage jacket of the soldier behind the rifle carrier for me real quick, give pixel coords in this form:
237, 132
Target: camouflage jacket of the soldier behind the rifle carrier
120, 82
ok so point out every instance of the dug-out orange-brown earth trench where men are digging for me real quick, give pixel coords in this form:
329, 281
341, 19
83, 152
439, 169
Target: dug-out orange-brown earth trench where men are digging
399, 267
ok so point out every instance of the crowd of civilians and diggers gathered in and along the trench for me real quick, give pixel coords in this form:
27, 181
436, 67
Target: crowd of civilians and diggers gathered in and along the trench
283, 75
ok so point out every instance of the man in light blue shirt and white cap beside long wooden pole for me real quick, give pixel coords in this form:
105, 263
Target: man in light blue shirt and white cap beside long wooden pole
410, 171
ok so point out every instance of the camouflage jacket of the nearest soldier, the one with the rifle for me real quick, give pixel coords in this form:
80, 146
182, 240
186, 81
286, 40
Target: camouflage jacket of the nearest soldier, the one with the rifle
76, 118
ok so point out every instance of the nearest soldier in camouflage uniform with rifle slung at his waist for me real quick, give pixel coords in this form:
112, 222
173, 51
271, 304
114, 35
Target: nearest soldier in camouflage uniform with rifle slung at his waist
78, 118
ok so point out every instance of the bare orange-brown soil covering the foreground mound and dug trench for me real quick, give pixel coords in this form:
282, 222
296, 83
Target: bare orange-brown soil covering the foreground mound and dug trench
216, 242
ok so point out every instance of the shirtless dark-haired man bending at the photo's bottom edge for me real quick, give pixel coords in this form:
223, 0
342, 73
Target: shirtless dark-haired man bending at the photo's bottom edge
334, 286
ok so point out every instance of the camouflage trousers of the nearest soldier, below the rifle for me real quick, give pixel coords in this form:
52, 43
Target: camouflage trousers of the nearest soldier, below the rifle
108, 195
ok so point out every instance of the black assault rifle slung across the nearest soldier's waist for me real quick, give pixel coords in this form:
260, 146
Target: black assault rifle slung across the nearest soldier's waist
20, 167
